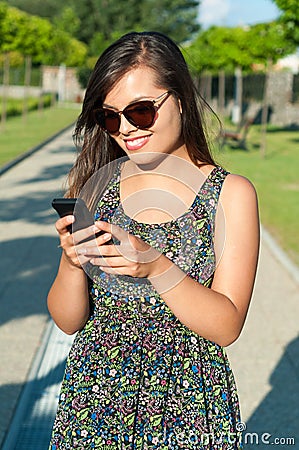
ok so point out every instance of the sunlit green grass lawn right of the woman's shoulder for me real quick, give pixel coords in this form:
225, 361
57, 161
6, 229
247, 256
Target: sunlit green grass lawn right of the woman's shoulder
276, 178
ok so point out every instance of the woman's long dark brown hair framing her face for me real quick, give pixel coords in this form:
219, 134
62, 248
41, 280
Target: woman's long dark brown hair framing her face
159, 53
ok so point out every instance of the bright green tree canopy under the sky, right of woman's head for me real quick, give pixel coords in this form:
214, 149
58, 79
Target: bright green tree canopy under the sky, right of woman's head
221, 48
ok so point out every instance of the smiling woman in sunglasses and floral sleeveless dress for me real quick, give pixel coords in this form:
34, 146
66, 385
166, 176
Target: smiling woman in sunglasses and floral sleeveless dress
160, 301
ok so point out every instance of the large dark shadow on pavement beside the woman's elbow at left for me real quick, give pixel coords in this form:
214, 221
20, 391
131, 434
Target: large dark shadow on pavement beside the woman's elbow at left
29, 266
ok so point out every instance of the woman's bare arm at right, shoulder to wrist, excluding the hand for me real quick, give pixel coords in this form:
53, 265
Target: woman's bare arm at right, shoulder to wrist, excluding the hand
218, 314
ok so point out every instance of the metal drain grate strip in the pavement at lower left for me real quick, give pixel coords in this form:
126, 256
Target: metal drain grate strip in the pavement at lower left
32, 423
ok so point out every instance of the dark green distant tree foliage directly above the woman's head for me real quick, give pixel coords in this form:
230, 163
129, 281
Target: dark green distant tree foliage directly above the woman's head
177, 18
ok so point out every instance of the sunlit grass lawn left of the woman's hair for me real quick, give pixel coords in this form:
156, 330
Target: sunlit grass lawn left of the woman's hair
19, 135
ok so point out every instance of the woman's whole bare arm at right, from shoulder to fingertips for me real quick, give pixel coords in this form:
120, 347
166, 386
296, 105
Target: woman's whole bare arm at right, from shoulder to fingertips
217, 313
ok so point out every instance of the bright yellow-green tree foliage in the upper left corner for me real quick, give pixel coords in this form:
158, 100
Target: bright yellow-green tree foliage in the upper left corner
37, 37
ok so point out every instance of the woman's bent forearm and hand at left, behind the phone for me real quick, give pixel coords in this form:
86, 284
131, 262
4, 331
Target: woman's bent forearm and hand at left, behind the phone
68, 299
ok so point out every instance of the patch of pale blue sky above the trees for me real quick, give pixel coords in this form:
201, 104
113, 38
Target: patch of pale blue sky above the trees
232, 13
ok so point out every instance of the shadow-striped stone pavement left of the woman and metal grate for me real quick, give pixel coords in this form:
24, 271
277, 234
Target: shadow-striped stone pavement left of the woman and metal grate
29, 260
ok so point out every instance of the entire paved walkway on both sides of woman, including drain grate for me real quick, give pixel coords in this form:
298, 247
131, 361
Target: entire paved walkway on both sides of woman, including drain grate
265, 358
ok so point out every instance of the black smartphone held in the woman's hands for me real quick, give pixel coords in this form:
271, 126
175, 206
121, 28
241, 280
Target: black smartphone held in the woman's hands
76, 207
